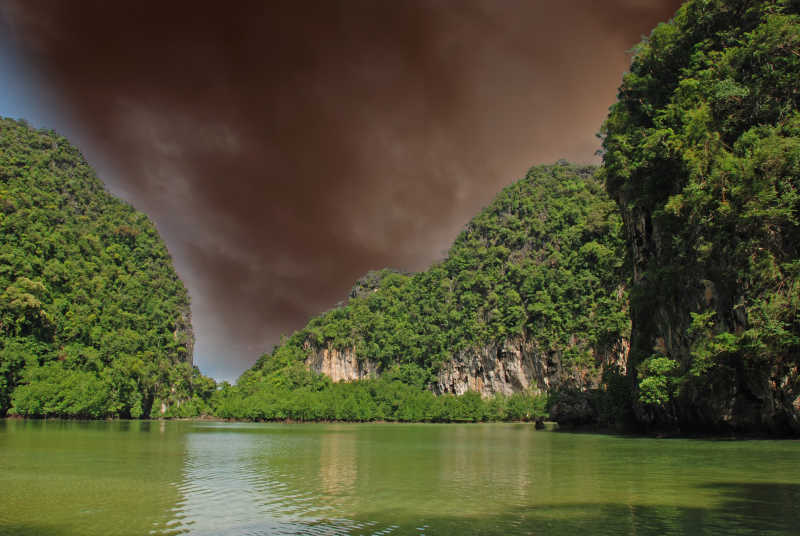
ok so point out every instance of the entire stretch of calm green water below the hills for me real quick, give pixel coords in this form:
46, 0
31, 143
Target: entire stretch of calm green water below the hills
108, 478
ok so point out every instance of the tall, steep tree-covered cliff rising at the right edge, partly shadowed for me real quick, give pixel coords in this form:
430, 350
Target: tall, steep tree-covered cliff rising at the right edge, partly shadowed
702, 153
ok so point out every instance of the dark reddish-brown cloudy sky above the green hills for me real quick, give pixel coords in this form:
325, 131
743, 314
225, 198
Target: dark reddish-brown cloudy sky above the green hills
283, 149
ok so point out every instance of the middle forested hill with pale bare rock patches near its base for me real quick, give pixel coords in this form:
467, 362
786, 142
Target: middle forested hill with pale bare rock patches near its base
530, 297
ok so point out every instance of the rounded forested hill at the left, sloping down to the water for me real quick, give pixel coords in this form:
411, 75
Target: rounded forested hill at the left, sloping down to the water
94, 321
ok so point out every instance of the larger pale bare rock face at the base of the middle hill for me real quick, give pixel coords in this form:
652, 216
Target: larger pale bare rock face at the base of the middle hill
520, 365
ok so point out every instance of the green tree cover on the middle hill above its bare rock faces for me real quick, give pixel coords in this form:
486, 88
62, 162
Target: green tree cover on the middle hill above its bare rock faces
543, 258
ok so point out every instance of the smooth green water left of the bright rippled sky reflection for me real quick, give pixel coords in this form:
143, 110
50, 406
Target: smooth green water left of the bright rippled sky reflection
59, 477
